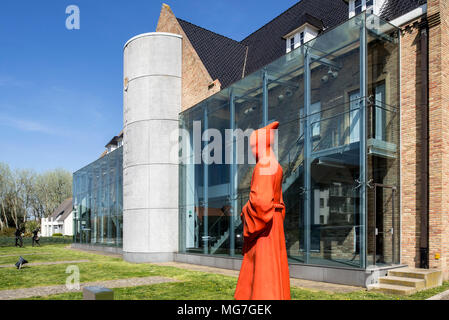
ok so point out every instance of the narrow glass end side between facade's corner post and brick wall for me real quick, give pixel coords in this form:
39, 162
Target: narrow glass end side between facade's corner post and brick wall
383, 142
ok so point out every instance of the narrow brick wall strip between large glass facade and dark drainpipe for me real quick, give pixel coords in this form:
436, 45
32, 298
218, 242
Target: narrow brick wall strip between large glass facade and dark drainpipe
411, 147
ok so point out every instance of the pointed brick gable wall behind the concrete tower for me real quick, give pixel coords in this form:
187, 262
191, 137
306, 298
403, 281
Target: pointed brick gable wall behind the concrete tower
195, 77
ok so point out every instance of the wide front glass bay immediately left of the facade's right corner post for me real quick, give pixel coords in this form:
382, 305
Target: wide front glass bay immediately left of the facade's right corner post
334, 119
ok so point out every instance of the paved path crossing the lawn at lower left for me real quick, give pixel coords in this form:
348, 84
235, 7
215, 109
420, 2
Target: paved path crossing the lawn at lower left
51, 290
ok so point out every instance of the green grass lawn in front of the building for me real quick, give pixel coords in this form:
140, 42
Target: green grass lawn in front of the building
191, 285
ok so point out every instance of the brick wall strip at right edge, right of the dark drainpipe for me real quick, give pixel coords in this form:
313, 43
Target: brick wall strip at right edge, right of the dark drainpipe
439, 134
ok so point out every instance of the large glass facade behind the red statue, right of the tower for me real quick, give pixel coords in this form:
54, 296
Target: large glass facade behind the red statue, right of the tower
337, 100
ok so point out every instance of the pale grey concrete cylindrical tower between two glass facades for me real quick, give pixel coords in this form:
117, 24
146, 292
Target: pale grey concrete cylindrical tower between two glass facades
152, 102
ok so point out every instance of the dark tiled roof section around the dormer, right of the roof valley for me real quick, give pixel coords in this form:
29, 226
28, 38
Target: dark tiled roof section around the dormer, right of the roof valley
267, 44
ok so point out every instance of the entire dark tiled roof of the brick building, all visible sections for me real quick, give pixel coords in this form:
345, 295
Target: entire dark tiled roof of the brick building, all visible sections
224, 58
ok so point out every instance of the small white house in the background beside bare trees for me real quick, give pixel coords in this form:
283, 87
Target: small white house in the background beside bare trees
61, 221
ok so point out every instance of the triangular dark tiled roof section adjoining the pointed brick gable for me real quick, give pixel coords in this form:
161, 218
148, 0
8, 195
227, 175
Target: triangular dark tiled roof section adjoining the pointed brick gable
223, 57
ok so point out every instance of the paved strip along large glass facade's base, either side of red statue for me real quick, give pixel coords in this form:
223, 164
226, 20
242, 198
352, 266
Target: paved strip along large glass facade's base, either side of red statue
299, 283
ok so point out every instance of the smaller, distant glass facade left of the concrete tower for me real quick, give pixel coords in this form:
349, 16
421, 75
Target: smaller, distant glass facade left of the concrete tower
98, 201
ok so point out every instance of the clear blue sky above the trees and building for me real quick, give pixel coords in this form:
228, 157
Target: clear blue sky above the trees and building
61, 90
